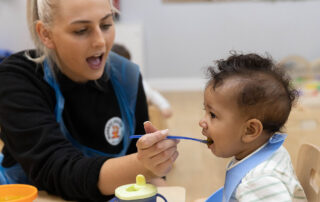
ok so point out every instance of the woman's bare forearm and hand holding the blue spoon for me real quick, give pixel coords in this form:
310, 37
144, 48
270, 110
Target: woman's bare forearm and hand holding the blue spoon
154, 158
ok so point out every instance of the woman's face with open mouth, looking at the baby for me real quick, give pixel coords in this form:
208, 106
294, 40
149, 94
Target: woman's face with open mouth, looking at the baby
82, 35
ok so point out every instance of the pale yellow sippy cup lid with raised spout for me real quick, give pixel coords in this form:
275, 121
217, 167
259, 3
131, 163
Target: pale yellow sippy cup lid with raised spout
140, 190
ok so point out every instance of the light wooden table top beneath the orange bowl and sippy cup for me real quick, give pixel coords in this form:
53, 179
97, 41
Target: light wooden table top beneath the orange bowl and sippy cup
172, 194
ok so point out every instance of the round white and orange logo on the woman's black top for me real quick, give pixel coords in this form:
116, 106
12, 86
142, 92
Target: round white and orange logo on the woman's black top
114, 131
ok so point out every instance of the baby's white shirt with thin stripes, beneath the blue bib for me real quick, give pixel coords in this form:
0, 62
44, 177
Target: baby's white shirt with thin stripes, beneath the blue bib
272, 180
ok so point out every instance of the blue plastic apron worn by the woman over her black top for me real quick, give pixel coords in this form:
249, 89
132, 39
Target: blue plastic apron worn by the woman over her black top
124, 76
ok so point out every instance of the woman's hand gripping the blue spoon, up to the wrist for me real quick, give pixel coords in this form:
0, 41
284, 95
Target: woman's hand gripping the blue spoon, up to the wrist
155, 152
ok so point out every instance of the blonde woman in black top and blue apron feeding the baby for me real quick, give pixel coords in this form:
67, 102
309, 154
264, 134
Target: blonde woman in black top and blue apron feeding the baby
68, 108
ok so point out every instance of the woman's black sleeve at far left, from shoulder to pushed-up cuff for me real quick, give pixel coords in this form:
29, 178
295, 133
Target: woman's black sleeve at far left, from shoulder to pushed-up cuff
33, 138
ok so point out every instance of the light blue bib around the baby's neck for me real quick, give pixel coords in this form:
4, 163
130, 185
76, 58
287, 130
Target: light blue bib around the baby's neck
235, 174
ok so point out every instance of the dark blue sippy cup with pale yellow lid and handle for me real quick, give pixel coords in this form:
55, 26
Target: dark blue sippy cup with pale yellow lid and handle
139, 192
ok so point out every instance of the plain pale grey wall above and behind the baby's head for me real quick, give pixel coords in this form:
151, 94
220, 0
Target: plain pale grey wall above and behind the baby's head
182, 38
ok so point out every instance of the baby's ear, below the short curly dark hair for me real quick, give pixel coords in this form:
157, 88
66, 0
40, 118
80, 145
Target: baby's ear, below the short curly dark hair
253, 129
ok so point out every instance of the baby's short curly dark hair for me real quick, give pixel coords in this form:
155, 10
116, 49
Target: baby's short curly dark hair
265, 91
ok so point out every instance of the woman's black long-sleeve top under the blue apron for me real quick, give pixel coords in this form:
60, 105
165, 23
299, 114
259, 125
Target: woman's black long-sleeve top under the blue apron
33, 138
